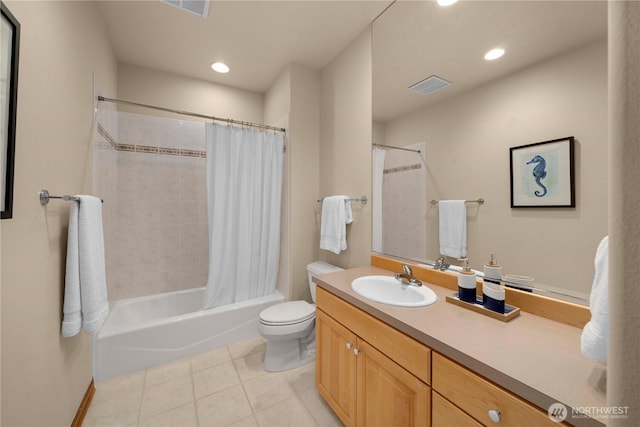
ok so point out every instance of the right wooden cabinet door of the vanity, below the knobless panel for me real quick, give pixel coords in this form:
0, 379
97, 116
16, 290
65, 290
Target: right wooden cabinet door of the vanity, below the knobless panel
388, 395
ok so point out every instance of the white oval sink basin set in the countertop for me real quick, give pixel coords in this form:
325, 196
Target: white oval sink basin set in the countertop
388, 290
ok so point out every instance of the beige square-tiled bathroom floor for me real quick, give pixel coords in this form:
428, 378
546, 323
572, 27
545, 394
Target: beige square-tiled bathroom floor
223, 387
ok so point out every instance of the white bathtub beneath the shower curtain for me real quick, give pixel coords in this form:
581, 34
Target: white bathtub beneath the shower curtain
146, 331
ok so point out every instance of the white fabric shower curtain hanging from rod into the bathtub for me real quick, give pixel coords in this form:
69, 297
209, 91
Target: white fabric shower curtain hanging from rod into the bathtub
244, 186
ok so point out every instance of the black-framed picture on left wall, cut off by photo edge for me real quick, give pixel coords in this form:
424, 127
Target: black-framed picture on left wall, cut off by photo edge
9, 50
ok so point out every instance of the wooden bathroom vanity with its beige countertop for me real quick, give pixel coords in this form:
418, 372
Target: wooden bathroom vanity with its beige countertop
441, 365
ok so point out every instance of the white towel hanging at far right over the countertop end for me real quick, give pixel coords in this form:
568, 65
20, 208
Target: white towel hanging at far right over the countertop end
594, 342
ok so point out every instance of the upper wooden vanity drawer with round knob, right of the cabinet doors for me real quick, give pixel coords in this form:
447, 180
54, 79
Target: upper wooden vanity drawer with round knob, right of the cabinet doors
477, 396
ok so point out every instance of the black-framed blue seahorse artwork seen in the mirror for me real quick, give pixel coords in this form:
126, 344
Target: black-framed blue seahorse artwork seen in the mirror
542, 174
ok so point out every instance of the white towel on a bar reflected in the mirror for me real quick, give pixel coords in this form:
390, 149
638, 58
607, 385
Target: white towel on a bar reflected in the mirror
453, 228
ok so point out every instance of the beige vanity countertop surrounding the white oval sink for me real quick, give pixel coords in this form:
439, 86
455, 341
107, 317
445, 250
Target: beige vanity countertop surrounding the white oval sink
535, 358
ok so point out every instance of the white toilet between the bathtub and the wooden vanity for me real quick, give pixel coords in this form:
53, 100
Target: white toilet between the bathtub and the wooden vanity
290, 327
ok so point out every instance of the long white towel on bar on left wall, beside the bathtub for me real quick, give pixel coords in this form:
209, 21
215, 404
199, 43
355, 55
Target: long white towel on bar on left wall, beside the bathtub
85, 299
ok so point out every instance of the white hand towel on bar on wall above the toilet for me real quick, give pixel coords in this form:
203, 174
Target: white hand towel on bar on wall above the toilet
336, 214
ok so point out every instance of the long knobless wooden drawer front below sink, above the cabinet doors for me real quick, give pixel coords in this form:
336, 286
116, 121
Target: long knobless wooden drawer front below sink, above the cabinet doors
412, 355
